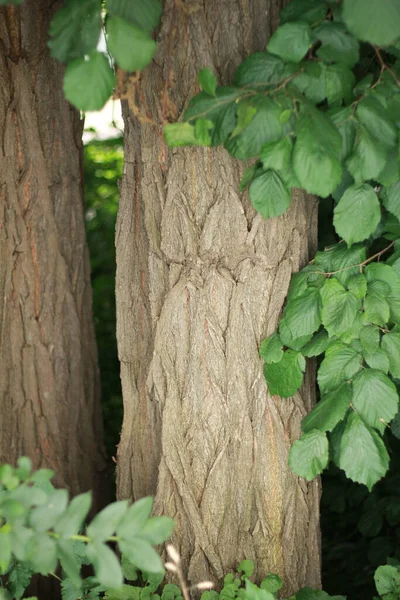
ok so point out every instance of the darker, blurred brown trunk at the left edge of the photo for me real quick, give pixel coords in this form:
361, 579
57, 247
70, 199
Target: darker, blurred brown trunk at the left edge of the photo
49, 389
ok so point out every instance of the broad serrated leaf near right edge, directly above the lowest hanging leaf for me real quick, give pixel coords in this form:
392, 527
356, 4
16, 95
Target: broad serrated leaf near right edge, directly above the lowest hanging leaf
375, 398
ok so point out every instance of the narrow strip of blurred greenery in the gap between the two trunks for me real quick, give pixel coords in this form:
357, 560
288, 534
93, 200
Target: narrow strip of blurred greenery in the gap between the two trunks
103, 162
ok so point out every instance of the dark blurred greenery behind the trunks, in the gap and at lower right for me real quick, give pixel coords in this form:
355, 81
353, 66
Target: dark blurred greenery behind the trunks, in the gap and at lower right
360, 530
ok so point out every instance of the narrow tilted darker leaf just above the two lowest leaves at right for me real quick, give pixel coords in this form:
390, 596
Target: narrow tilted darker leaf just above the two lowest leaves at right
329, 411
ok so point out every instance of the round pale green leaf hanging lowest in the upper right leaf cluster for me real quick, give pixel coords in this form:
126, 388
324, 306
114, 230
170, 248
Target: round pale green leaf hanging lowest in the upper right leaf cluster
357, 214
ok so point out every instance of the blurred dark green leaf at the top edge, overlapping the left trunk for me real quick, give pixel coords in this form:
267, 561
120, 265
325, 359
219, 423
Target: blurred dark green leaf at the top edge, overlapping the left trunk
75, 29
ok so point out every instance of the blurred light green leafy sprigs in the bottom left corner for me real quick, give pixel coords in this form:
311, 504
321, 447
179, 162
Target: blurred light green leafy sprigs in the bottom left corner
40, 529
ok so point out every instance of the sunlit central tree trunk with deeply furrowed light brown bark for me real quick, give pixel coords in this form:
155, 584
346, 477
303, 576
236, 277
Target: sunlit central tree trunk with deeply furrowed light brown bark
201, 280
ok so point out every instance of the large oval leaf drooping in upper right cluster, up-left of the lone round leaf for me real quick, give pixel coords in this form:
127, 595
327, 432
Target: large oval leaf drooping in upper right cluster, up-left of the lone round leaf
315, 155
